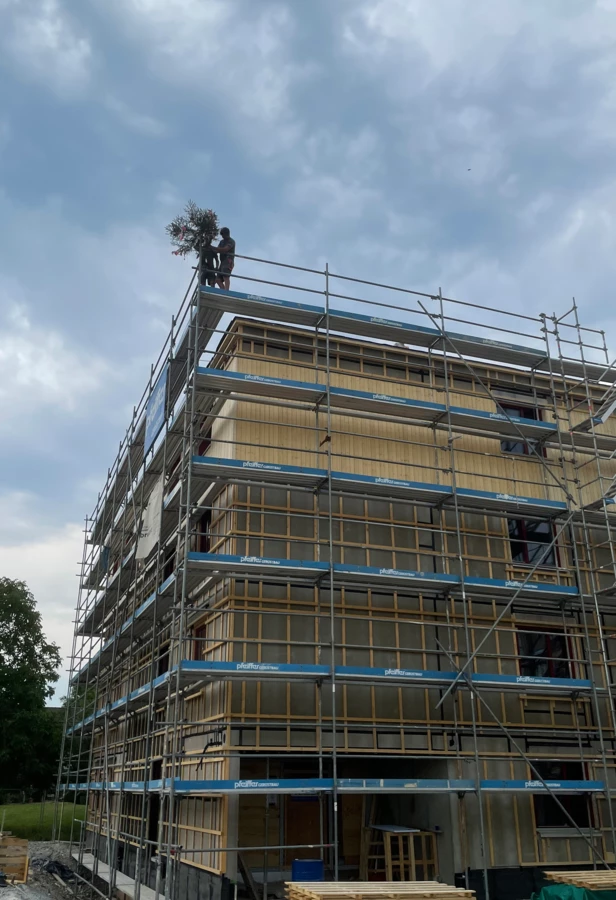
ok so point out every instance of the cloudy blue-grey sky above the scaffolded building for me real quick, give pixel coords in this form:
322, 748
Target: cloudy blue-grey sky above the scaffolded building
466, 145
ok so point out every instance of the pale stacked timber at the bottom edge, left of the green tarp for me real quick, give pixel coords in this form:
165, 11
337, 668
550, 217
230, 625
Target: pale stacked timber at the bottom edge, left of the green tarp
373, 890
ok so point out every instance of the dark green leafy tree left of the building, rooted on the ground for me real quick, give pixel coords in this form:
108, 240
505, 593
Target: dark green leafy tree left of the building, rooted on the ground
30, 734
